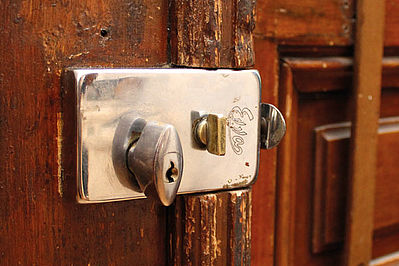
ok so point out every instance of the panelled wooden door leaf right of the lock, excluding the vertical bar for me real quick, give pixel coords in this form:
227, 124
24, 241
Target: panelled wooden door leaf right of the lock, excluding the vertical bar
304, 52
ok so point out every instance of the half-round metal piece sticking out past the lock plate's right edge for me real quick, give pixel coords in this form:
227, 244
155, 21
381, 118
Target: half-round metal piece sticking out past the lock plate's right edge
272, 126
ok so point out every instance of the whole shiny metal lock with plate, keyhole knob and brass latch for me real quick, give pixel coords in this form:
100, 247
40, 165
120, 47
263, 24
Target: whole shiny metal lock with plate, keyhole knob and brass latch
215, 114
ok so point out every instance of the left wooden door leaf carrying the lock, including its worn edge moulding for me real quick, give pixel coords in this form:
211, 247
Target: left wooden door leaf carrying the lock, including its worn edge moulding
41, 223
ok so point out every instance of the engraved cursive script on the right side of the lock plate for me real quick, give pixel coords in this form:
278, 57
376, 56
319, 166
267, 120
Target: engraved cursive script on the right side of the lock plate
236, 122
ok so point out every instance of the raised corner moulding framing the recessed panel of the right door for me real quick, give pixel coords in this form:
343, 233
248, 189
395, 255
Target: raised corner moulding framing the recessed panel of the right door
299, 76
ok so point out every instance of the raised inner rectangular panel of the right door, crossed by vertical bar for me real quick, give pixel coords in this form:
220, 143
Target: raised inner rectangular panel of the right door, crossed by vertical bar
331, 164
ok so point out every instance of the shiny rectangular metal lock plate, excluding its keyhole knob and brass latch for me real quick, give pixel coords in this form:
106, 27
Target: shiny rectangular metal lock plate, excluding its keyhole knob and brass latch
173, 96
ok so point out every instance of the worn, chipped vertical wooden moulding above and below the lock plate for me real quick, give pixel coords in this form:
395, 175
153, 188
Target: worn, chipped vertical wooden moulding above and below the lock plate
211, 229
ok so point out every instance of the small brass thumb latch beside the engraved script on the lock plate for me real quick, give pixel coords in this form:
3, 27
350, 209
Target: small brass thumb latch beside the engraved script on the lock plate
210, 131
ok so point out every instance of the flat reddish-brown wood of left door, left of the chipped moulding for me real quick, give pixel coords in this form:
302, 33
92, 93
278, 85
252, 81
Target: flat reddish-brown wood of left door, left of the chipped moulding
39, 224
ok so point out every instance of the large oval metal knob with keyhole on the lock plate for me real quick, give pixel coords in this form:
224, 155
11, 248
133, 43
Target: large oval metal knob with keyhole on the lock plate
150, 155
